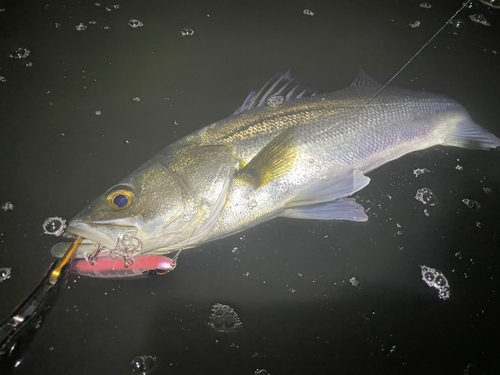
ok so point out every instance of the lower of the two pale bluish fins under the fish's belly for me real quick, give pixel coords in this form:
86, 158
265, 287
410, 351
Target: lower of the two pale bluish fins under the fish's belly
341, 209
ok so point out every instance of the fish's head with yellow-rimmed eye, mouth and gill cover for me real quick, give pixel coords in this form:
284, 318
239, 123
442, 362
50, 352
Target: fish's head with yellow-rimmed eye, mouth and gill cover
152, 207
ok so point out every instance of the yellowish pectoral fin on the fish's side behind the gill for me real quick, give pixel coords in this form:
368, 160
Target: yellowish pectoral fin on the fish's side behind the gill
272, 162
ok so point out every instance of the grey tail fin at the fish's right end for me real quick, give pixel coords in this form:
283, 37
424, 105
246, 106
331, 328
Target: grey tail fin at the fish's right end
471, 135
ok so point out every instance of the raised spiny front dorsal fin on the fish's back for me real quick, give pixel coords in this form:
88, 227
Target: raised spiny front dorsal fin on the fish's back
280, 88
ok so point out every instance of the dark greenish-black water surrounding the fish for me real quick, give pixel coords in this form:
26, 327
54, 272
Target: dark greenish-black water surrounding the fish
288, 280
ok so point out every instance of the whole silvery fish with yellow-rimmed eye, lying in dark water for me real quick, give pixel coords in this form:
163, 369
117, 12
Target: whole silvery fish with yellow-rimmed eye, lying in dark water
287, 151
